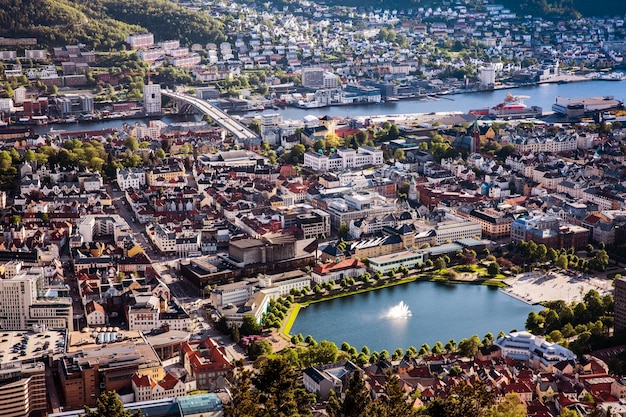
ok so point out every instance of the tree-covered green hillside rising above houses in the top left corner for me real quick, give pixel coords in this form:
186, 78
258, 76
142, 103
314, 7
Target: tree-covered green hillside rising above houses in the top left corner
104, 24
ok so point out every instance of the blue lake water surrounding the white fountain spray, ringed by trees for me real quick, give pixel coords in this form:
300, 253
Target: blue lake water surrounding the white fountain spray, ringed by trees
439, 312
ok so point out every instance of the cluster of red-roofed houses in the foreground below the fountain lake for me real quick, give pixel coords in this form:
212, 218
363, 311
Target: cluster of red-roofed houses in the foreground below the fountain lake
547, 377
